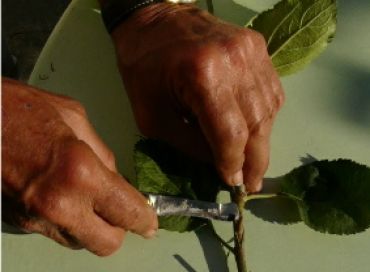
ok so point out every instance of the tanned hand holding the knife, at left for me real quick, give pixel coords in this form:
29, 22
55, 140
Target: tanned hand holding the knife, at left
59, 179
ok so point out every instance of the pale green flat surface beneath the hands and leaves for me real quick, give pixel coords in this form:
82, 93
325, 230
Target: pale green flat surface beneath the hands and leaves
326, 115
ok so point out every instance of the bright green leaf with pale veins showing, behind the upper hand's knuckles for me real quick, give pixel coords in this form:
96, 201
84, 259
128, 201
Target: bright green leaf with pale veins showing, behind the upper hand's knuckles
296, 31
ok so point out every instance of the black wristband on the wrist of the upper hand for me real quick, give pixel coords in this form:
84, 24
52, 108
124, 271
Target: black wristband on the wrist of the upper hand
115, 11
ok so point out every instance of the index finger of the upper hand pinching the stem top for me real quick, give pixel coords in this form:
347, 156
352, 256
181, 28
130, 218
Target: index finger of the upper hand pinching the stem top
226, 131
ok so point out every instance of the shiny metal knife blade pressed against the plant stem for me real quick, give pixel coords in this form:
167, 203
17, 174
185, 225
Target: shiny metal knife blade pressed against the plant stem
169, 205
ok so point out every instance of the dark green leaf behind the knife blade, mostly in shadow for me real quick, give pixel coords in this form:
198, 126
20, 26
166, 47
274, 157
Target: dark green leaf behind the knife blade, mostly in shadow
161, 169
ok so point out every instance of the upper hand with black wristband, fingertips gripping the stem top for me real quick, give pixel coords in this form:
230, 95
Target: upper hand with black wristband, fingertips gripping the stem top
205, 86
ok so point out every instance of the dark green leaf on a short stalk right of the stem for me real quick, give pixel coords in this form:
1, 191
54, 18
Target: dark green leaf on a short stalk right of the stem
332, 196
